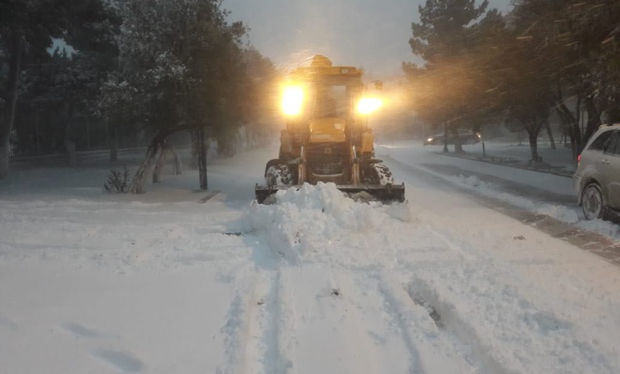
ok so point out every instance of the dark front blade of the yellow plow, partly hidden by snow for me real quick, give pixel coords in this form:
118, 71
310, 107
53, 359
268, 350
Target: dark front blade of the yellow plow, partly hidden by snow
384, 193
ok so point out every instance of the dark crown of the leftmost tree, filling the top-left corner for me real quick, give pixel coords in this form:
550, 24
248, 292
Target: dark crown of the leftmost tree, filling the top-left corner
26, 31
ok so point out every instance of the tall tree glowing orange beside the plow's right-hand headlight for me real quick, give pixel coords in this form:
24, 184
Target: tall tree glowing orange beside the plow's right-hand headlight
449, 80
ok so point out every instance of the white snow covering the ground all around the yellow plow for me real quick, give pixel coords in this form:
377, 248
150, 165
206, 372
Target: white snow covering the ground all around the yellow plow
316, 283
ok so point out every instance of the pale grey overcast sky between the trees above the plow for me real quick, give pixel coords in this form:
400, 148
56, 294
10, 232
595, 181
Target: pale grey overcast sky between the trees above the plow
372, 34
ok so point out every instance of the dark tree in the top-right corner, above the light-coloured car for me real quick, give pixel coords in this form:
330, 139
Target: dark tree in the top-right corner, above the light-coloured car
574, 45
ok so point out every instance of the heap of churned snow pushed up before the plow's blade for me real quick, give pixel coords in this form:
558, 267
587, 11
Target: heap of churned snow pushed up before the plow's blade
311, 221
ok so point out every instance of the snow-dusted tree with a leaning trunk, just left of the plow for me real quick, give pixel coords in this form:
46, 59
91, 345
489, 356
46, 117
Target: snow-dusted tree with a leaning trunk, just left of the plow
180, 68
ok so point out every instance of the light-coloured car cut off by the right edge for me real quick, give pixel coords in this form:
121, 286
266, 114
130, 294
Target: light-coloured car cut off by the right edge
597, 179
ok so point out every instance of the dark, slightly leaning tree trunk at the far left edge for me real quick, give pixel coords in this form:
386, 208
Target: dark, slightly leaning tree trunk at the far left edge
6, 123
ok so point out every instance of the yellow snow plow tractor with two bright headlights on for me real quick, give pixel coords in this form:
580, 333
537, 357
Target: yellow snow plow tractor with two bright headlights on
327, 137
